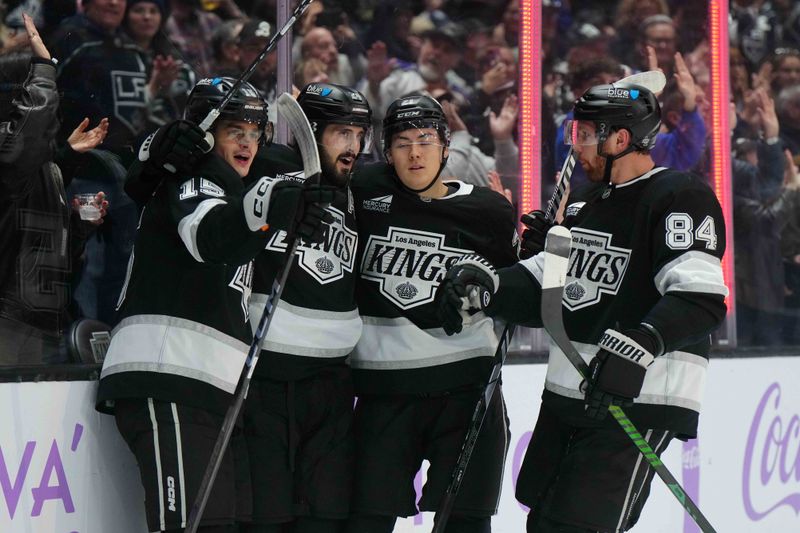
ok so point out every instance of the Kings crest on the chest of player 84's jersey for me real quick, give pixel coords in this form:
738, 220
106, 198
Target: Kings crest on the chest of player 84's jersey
595, 267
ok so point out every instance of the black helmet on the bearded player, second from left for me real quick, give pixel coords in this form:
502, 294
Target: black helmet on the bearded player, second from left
327, 103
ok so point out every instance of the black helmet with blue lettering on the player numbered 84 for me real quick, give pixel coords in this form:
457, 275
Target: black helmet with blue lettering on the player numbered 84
618, 106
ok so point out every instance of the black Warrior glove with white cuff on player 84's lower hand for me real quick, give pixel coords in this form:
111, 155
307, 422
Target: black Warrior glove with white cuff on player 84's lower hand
617, 371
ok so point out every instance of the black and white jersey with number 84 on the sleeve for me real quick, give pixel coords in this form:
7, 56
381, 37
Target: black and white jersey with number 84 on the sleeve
648, 250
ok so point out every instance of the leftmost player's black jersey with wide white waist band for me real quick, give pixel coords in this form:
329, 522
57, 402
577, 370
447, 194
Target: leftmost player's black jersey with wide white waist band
183, 334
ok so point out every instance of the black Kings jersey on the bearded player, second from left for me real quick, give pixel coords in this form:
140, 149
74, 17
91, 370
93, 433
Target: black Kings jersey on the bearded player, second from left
316, 322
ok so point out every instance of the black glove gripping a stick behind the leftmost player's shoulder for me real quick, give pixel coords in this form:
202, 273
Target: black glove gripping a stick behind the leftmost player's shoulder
176, 147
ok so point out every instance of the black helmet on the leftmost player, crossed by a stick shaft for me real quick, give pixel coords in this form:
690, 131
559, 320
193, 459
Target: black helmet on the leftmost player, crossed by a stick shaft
246, 105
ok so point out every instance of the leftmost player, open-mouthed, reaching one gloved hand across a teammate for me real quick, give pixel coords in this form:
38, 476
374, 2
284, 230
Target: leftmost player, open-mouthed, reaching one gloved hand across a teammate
177, 353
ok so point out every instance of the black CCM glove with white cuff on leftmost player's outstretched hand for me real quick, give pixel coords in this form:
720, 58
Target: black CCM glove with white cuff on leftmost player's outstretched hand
289, 206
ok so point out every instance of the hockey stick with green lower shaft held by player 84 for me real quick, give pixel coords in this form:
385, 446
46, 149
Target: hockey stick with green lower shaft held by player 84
556, 263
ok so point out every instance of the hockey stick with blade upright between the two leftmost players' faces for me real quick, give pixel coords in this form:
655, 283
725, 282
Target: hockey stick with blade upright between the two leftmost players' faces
304, 136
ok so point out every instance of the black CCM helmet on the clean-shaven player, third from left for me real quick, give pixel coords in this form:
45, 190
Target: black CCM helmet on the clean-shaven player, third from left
414, 111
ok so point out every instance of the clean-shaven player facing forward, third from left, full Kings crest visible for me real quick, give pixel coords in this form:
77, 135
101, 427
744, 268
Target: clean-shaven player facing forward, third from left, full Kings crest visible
416, 387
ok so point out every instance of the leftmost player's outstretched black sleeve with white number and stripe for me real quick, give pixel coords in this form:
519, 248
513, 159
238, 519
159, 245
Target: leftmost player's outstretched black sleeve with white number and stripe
210, 220
